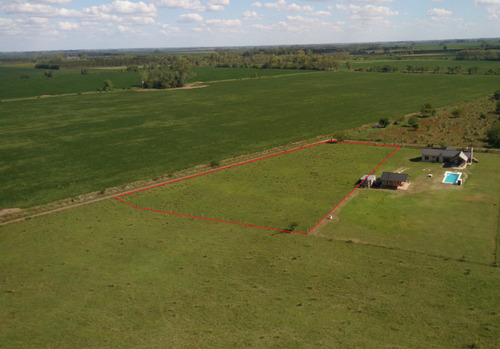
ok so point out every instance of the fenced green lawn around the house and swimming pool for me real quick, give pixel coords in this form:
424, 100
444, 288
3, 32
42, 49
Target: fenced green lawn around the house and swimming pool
430, 217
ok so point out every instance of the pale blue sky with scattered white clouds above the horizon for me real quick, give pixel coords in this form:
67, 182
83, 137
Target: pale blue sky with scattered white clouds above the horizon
34, 25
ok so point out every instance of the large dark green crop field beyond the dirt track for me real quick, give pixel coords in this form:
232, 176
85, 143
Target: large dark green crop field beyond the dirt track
59, 147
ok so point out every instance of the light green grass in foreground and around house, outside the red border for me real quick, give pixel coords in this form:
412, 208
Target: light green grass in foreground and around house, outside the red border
107, 275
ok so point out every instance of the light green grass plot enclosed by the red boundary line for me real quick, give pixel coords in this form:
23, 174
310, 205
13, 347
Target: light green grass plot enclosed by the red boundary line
291, 191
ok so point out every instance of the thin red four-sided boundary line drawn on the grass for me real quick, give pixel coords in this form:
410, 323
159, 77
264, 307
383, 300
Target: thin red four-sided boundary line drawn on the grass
119, 197
